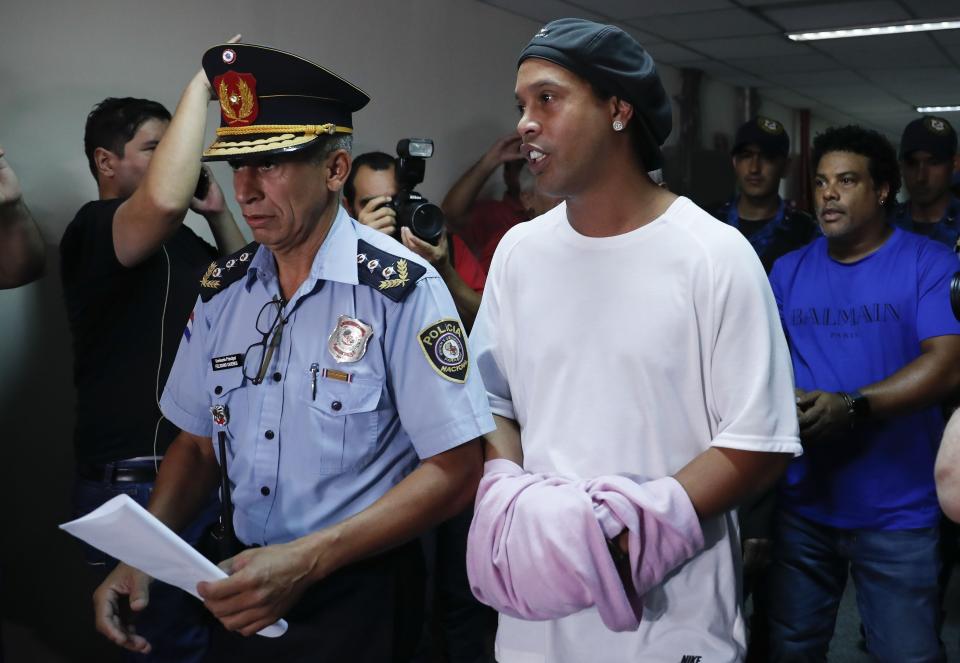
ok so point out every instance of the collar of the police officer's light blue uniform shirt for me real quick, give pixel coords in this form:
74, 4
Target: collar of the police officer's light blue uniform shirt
335, 261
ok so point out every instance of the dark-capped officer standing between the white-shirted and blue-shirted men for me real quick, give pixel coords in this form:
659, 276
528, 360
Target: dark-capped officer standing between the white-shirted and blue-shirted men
772, 225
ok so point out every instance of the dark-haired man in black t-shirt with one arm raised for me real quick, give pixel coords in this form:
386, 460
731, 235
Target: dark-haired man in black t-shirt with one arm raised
130, 271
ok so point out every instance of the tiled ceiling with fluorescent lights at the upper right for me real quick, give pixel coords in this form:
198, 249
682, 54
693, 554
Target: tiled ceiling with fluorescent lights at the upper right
875, 81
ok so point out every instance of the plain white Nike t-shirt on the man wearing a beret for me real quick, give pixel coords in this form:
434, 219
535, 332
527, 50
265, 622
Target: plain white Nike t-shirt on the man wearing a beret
634, 354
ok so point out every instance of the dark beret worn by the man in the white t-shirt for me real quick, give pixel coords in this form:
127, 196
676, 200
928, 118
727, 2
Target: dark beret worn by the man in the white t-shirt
613, 61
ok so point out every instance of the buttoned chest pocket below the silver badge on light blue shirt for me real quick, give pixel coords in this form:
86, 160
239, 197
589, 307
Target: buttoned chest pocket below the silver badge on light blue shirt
344, 418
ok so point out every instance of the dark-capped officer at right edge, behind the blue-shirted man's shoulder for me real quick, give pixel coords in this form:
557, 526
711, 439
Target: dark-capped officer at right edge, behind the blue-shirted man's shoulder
928, 152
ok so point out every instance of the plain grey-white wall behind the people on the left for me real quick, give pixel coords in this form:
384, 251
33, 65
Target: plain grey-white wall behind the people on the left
434, 68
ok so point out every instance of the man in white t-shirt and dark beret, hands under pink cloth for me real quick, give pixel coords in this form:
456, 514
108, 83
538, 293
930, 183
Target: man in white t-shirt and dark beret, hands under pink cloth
628, 332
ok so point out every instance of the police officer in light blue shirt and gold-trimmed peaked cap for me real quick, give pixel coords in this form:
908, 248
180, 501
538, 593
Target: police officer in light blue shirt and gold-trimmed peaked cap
336, 372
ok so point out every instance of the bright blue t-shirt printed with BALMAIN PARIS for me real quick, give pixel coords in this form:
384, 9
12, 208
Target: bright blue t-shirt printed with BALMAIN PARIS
853, 324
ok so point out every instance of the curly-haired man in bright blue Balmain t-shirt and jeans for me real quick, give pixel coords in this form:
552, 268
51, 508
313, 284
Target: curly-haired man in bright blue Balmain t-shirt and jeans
875, 349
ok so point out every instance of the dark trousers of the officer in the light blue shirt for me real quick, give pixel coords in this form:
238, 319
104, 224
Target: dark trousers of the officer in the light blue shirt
368, 612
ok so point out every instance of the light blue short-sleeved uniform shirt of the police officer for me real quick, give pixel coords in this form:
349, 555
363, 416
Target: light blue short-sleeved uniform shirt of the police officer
299, 462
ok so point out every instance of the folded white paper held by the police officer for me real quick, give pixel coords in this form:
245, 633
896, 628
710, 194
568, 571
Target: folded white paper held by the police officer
125, 530
